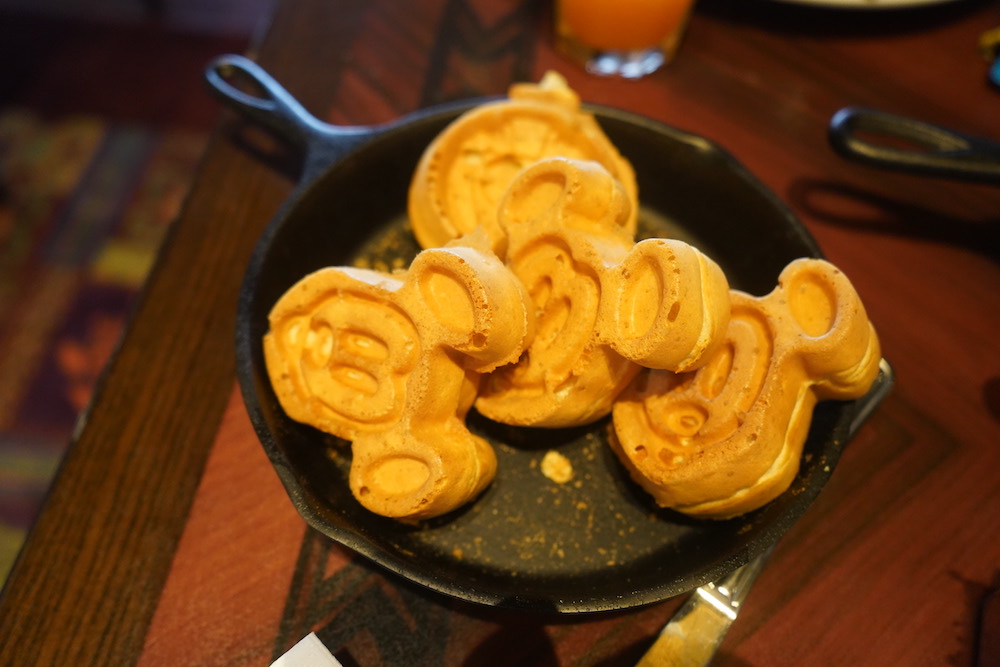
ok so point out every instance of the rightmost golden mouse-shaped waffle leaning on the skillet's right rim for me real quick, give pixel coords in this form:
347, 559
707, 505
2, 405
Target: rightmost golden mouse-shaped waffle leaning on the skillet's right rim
727, 438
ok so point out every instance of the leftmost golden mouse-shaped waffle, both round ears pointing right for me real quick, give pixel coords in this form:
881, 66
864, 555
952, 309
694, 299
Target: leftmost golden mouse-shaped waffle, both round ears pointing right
392, 363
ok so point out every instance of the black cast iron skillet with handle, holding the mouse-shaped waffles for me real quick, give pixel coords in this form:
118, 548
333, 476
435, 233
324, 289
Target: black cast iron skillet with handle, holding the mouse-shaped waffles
527, 543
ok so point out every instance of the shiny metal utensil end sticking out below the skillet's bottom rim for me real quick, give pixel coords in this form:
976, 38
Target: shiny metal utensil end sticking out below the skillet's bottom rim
696, 630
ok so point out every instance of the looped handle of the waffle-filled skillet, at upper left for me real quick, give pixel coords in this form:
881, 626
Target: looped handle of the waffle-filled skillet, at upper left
276, 109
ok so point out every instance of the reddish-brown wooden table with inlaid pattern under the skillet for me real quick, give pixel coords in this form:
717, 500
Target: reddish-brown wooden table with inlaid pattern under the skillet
167, 539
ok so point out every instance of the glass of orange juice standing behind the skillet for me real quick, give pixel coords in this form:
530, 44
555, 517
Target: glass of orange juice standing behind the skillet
627, 38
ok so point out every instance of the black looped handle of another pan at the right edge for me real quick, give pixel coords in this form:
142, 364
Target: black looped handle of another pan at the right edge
938, 151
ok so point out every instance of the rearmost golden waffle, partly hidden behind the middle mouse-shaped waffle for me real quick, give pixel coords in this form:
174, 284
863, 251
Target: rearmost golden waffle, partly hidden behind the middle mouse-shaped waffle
465, 171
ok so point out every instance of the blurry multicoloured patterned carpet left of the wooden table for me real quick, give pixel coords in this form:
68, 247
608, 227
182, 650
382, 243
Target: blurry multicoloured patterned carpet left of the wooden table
84, 205
